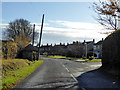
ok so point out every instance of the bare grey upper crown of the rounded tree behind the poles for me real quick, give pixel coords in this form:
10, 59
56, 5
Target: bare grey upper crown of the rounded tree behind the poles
18, 27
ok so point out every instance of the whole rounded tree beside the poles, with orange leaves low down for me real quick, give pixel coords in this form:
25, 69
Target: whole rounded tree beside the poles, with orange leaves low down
21, 32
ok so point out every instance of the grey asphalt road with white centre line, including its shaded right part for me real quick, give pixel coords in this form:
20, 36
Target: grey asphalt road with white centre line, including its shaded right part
60, 73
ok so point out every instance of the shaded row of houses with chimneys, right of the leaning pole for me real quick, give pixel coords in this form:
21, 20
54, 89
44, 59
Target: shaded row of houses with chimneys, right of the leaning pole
76, 49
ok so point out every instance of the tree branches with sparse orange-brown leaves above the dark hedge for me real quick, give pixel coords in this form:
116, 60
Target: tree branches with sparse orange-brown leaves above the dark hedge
108, 13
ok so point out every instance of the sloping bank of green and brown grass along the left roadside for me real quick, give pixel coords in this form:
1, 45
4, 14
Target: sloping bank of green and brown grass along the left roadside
15, 70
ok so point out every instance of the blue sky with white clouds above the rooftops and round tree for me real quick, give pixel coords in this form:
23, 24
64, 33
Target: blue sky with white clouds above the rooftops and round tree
64, 22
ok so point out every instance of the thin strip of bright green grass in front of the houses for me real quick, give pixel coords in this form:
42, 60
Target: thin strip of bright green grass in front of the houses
73, 58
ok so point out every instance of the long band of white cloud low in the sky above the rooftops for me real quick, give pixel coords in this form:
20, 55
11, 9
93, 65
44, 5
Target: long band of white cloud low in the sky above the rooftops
65, 30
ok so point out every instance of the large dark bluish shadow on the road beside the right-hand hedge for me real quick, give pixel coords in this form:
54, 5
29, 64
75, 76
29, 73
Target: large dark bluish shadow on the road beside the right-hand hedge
97, 79
